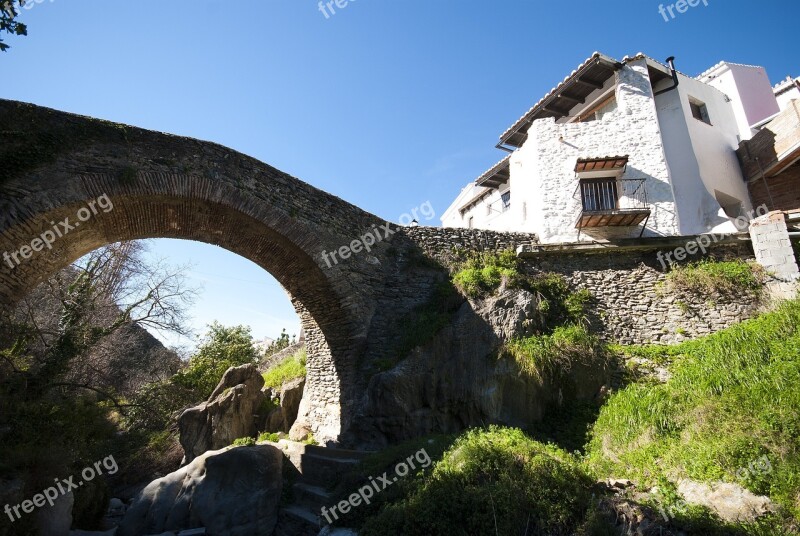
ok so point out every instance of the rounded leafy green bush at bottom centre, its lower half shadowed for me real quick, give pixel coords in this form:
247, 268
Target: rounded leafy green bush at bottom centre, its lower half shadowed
495, 481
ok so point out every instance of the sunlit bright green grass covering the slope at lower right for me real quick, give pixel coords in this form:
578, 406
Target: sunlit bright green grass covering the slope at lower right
734, 397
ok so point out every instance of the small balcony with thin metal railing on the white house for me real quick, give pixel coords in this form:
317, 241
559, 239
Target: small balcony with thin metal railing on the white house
608, 202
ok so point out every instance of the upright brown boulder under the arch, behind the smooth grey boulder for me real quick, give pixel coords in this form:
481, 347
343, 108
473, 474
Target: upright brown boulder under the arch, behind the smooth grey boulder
230, 413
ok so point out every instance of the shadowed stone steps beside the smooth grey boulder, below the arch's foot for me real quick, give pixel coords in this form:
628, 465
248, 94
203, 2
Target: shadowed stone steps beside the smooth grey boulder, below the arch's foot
314, 472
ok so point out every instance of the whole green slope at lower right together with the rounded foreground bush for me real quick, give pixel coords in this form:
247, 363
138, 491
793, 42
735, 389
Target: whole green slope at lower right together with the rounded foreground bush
734, 398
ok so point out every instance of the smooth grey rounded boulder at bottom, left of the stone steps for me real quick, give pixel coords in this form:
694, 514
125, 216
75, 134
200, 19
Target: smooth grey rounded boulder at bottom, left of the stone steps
231, 492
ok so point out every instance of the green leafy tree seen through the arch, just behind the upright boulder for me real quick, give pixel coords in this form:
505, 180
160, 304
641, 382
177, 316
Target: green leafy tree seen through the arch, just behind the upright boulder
222, 349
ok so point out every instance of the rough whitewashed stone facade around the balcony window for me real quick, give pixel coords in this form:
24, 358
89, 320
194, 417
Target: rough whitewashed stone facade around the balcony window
549, 156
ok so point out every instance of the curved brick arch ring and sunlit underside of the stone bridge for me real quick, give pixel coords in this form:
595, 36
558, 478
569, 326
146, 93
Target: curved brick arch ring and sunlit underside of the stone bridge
91, 211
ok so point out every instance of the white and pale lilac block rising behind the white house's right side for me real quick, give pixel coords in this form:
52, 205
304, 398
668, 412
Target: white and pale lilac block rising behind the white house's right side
750, 92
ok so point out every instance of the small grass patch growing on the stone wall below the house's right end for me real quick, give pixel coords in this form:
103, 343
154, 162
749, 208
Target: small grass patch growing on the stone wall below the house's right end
720, 278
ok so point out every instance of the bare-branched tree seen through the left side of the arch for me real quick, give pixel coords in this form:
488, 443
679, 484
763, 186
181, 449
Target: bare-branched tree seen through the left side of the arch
80, 327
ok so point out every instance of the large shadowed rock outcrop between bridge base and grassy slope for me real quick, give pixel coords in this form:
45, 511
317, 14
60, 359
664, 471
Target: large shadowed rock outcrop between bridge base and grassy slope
456, 380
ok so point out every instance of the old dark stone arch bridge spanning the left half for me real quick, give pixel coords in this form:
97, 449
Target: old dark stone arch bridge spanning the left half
56, 167
